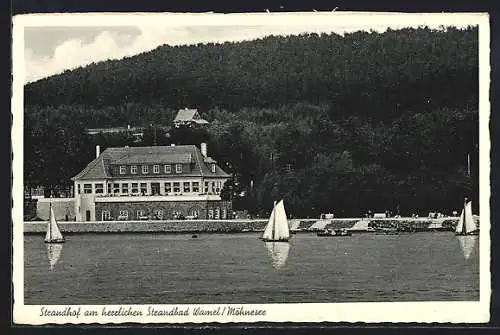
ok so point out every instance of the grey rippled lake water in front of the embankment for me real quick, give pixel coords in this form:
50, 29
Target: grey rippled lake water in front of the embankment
239, 268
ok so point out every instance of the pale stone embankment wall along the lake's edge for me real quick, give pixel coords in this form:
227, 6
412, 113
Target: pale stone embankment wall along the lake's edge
226, 226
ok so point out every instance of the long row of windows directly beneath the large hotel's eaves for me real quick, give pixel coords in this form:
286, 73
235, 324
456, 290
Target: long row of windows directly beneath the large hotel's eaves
142, 188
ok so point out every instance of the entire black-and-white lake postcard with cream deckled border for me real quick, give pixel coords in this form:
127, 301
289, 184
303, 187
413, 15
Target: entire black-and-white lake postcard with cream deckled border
256, 167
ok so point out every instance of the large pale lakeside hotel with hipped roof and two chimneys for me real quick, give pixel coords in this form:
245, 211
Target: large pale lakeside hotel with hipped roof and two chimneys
160, 182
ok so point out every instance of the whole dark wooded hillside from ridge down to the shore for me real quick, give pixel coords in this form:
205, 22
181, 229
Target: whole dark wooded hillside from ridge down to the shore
361, 121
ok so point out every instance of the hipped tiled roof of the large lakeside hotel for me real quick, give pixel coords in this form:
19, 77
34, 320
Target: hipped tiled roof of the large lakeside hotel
100, 168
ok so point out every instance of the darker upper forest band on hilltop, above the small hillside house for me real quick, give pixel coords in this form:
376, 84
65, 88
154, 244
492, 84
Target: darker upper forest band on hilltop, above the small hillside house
367, 73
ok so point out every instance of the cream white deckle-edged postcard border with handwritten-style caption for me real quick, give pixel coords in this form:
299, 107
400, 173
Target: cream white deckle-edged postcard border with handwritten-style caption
455, 312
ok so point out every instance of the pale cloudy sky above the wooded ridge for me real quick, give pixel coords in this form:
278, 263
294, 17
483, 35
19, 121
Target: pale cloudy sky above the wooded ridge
49, 50
